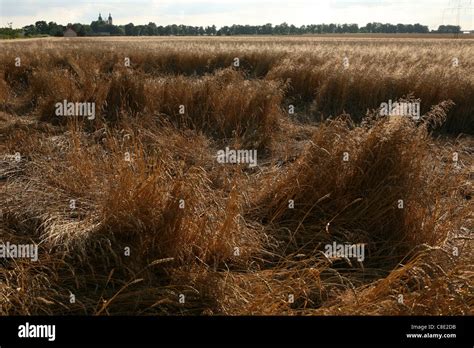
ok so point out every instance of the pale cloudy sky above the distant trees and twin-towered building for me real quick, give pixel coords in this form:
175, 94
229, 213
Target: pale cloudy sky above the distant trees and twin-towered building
228, 12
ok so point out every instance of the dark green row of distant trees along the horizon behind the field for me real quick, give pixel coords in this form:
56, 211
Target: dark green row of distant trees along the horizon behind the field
151, 29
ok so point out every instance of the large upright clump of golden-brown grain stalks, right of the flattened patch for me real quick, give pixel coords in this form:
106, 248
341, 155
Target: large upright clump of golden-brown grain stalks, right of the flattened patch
376, 185
